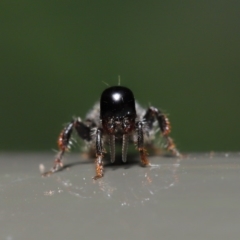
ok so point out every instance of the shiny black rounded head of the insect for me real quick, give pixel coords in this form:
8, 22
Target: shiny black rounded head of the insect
117, 107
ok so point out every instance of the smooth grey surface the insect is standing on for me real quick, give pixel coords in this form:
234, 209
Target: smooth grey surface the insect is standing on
197, 197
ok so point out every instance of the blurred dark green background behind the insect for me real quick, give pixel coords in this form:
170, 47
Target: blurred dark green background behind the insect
181, 56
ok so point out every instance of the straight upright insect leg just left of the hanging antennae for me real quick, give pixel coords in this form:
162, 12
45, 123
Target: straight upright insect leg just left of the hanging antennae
99, 155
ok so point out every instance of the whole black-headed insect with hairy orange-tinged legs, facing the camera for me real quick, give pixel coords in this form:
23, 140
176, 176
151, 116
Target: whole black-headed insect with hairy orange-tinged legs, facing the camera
117, 117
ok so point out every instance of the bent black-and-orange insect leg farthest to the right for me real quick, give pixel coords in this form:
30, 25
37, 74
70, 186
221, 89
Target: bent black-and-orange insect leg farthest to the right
164, 125
